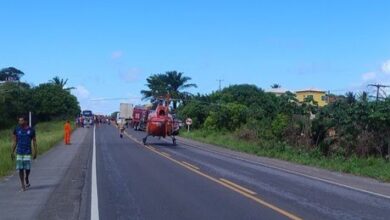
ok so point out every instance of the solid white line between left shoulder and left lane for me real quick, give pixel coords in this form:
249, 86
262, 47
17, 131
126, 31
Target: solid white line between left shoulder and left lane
94, 193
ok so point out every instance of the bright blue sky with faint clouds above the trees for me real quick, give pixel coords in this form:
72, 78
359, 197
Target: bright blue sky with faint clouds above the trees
107, 49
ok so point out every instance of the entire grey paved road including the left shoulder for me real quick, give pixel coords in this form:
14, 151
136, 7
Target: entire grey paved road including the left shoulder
161, 181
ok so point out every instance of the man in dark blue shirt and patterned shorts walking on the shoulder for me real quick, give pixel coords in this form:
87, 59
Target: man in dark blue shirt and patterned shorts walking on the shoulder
23, 135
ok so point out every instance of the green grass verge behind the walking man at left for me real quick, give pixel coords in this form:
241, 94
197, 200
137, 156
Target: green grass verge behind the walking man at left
48, 134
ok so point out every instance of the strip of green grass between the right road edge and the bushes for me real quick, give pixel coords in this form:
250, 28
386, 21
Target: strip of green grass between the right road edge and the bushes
376, 168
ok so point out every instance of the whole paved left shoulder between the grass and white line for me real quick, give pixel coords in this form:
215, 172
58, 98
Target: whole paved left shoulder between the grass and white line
58, 184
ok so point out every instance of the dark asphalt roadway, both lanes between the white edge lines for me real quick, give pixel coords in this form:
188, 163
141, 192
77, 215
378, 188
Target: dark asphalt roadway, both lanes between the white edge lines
162, 181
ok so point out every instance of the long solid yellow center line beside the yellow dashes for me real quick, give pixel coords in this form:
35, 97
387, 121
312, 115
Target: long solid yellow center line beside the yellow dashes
225, 184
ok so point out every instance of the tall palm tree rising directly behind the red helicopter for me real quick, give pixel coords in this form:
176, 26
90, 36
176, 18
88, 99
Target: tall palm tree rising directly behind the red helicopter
172, 83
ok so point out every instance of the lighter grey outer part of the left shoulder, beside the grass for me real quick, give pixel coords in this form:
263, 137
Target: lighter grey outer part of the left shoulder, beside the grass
47, 175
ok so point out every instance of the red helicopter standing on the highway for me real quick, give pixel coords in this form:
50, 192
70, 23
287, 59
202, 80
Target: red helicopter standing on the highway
161, 123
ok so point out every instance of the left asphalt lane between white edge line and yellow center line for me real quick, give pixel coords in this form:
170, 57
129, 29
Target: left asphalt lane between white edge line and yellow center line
135, 182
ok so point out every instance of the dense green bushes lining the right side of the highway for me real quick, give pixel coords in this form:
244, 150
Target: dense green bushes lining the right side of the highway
347, 126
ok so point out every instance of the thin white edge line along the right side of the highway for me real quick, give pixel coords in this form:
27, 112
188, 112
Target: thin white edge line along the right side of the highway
292, 172
